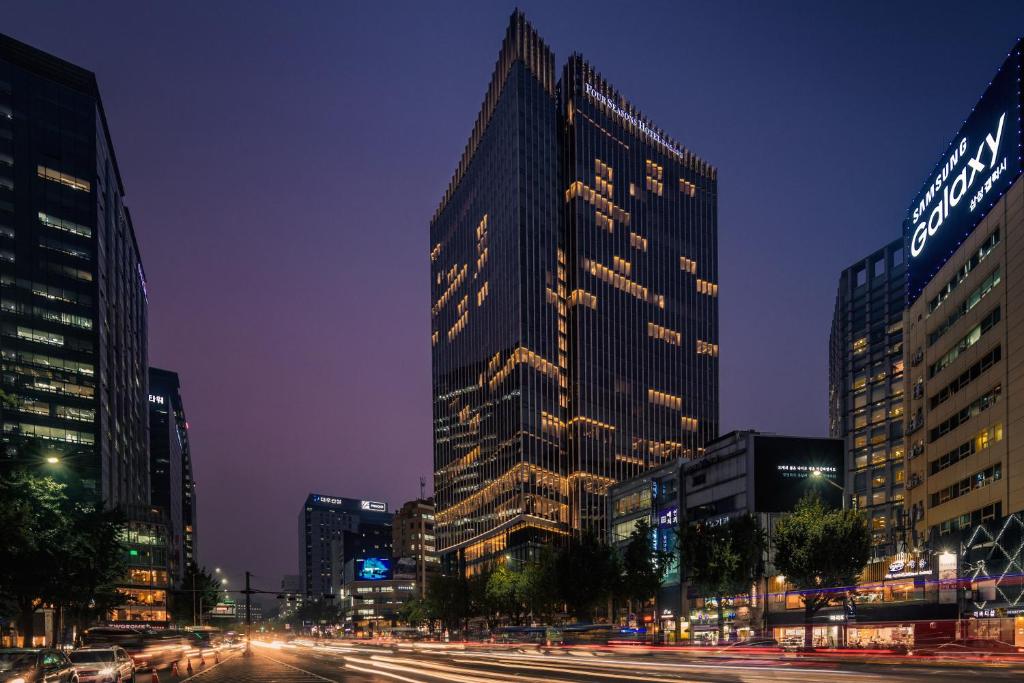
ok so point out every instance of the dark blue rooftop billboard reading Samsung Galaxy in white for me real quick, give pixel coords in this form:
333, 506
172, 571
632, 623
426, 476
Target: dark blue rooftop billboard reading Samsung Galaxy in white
982, 162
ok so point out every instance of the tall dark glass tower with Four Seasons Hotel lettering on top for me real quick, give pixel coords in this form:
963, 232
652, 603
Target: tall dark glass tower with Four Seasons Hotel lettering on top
575, 310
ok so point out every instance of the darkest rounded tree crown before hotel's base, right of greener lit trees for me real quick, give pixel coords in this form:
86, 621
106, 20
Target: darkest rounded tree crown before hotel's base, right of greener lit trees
588, 570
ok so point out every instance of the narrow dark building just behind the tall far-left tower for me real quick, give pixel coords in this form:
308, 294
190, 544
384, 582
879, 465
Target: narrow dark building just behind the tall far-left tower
173, 488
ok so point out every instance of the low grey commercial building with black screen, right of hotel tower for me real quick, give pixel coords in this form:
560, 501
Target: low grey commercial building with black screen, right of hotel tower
742, 473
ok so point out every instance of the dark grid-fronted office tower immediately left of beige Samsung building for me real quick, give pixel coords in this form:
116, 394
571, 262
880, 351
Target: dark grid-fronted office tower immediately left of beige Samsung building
866, 391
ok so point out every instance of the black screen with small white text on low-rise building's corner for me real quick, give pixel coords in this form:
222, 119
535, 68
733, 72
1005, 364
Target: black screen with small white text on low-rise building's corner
787, 468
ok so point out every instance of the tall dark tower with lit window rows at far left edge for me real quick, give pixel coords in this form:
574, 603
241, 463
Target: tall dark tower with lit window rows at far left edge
73, 318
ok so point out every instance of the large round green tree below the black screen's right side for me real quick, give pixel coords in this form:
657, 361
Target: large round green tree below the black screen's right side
818, 549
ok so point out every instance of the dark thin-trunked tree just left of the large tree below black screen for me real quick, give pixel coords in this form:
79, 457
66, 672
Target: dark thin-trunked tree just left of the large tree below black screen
723, 561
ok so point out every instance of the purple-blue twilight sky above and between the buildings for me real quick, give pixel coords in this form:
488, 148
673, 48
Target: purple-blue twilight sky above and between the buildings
283, 160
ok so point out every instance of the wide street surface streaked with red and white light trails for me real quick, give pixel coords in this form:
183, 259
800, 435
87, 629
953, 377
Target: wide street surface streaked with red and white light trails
302, 663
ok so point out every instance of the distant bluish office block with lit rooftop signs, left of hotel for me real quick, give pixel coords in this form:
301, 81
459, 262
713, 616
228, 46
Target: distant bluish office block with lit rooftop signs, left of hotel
335, 531
